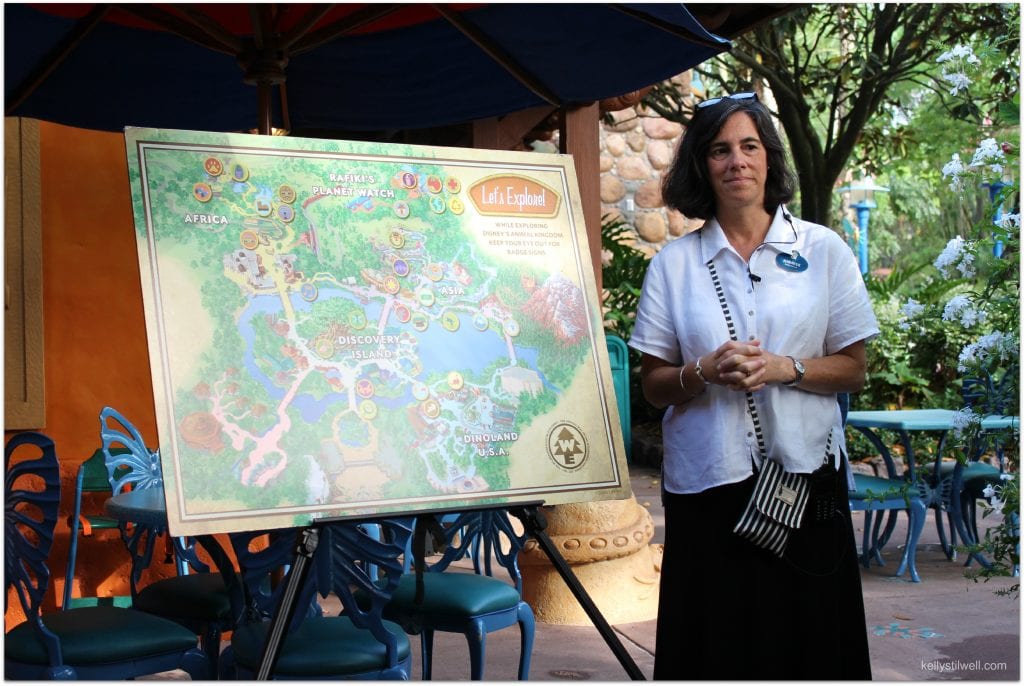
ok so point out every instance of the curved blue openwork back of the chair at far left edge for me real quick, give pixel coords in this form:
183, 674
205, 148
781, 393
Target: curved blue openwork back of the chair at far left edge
32, 498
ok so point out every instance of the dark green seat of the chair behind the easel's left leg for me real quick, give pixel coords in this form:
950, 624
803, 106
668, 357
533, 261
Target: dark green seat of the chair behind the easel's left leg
354, 651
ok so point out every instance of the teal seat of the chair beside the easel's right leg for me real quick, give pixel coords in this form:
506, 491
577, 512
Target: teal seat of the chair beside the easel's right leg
455, 594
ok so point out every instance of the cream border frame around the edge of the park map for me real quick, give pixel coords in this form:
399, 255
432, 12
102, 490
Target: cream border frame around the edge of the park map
610, 446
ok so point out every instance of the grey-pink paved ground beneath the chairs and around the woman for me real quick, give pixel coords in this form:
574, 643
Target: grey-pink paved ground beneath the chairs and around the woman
947, 627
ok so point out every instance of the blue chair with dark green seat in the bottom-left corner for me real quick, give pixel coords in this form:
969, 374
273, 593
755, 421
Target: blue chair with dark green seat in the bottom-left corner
95, 644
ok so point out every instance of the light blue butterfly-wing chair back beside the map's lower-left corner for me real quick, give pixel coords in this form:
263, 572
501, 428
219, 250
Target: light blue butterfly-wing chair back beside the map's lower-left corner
144, 464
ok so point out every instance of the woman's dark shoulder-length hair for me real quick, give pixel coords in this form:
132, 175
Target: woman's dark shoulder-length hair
688, 188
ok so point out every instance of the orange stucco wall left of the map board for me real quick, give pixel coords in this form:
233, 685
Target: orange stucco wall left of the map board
95, 331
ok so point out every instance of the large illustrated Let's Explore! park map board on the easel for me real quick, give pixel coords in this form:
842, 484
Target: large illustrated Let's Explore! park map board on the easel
347, 329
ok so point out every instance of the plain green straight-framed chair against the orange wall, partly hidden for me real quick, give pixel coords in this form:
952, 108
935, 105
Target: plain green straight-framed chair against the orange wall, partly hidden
91, 479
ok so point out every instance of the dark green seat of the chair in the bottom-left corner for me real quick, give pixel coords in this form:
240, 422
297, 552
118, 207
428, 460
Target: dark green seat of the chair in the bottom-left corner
99, 636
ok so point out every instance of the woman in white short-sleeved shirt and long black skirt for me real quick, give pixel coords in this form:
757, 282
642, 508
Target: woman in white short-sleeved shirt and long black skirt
800, 316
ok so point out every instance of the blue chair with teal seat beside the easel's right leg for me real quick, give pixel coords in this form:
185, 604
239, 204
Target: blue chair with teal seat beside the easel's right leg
473, 605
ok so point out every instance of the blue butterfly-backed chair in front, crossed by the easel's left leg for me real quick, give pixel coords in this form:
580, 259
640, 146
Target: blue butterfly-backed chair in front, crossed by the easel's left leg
359, 645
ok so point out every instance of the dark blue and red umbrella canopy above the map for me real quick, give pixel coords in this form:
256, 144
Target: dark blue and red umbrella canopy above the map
353, 67
